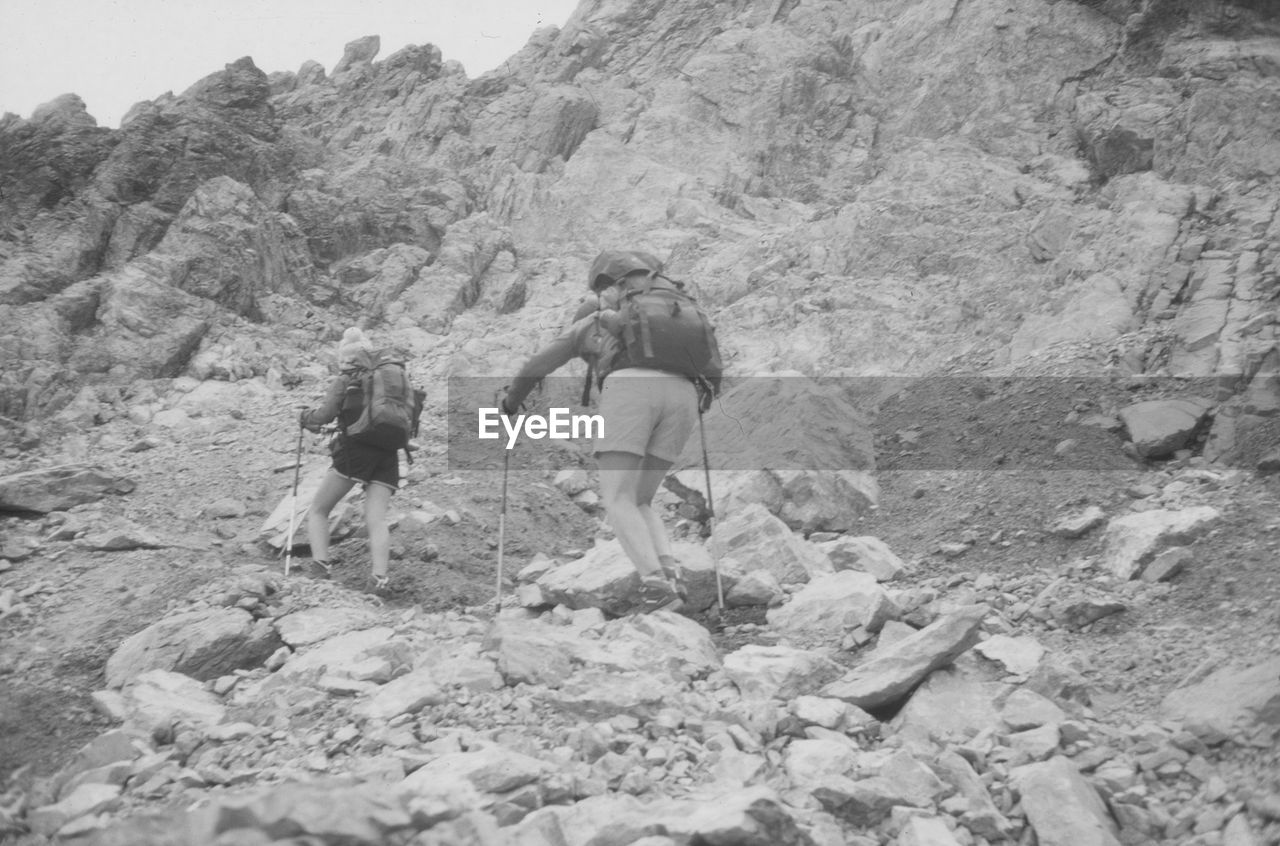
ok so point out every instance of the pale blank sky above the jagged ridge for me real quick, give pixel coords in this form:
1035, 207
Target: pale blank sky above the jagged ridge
116, 53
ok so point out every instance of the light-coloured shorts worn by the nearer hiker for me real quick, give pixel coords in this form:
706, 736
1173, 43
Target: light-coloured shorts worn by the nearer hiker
647, 413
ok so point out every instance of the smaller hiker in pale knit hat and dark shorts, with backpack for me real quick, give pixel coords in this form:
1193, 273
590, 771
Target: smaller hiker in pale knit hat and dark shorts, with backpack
377, 413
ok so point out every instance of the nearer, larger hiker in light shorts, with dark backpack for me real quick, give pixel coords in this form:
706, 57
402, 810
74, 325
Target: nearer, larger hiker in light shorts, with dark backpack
657, 365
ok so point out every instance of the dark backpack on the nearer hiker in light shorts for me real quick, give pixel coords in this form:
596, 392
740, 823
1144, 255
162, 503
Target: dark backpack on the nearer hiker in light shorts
664, 328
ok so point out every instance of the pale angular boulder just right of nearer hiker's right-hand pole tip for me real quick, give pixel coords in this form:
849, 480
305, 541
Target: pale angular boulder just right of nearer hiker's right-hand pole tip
758, 541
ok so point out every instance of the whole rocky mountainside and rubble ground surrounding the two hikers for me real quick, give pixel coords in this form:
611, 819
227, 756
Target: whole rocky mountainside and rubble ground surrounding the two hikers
1049, 231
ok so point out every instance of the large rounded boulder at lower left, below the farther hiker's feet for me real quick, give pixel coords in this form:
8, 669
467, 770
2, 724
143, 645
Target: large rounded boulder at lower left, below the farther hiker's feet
203, 644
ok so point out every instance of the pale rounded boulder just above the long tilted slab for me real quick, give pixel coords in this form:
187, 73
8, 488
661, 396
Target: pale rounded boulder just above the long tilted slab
834, 603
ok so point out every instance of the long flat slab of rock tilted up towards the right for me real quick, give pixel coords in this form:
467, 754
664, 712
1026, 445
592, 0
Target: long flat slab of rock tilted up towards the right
899, 669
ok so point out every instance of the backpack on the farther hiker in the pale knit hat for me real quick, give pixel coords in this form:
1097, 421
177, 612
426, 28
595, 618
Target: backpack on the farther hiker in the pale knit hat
390, 406
